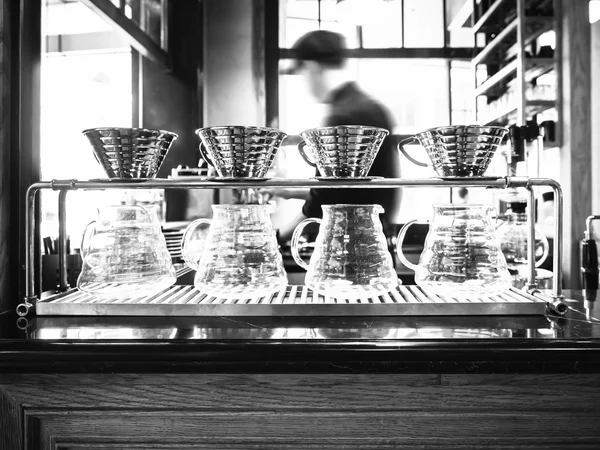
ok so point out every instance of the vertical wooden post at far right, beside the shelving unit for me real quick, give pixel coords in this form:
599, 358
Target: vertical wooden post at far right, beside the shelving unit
575, 154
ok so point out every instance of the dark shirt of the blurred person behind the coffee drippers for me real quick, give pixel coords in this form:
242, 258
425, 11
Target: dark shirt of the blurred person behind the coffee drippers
352, 106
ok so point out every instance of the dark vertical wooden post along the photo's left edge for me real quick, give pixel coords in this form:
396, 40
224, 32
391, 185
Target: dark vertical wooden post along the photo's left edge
21, 147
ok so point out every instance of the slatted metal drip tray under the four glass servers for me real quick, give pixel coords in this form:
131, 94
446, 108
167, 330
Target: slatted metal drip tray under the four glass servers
293, 301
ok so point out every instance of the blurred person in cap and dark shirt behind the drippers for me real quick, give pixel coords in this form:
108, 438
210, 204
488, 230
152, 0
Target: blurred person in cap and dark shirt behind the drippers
320, 60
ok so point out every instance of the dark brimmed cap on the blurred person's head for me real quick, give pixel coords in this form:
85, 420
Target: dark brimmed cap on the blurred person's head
321, 46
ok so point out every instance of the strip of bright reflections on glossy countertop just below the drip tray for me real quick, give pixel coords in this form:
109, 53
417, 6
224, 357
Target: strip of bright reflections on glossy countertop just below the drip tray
300, 329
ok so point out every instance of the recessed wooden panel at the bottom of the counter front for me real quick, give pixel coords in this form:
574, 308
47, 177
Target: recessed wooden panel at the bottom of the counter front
335, 429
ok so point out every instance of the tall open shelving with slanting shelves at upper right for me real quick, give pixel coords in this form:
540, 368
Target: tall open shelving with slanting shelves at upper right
505, 54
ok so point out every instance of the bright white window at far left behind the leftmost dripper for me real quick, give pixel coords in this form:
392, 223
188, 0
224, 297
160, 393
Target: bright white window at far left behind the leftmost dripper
80, 89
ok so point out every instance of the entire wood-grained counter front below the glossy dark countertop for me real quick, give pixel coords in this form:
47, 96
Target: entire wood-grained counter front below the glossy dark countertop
303, 411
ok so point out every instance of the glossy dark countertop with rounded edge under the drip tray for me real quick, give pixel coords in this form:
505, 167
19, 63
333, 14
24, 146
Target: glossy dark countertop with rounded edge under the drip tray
428, 344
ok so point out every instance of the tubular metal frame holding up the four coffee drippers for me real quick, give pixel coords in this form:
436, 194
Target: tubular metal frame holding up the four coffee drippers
206, 183
